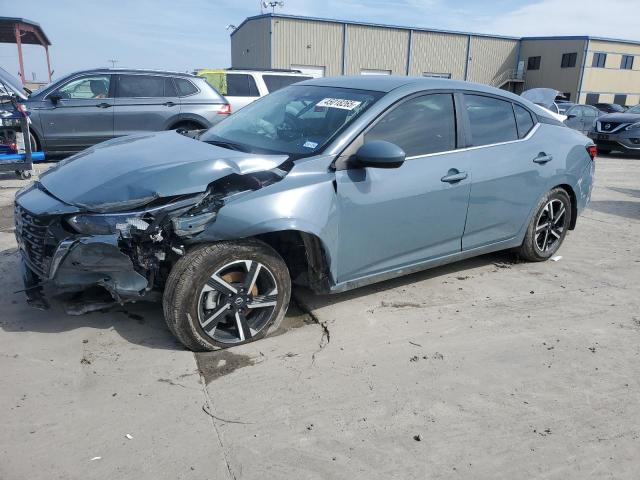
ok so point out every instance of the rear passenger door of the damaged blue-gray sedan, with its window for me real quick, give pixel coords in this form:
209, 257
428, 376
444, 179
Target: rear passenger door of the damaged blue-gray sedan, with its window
506, 158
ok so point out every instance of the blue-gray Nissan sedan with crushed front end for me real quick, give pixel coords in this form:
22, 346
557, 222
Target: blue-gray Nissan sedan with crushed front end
330, 183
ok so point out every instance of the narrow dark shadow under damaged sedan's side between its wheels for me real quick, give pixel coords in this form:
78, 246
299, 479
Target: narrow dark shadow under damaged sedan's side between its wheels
502, 259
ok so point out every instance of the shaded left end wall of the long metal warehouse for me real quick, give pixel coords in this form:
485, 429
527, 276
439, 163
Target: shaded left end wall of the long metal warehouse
251, 45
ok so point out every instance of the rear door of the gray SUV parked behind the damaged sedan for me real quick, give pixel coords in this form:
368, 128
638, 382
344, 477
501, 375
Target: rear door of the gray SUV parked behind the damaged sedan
144, 103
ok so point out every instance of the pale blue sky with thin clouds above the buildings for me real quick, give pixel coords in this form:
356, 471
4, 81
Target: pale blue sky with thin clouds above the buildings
186, 34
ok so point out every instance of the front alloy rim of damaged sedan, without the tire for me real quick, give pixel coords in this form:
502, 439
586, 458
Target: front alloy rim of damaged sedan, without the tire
237, 301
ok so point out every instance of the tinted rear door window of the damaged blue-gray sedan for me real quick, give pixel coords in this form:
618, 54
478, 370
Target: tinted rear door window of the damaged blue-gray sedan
492, 120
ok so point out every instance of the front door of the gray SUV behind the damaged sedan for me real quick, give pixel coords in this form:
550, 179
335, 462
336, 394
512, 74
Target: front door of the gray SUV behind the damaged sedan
82, 116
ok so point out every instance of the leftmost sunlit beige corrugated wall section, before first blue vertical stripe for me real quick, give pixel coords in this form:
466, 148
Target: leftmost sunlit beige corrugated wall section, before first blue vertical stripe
302, 42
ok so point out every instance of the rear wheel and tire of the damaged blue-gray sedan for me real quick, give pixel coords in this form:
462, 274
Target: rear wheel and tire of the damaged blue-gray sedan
548, 226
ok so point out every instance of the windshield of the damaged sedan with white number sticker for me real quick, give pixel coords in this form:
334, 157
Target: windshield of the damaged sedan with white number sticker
297, 120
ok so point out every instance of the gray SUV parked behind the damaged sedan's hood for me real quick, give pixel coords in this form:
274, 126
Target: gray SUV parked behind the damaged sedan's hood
88, 107
